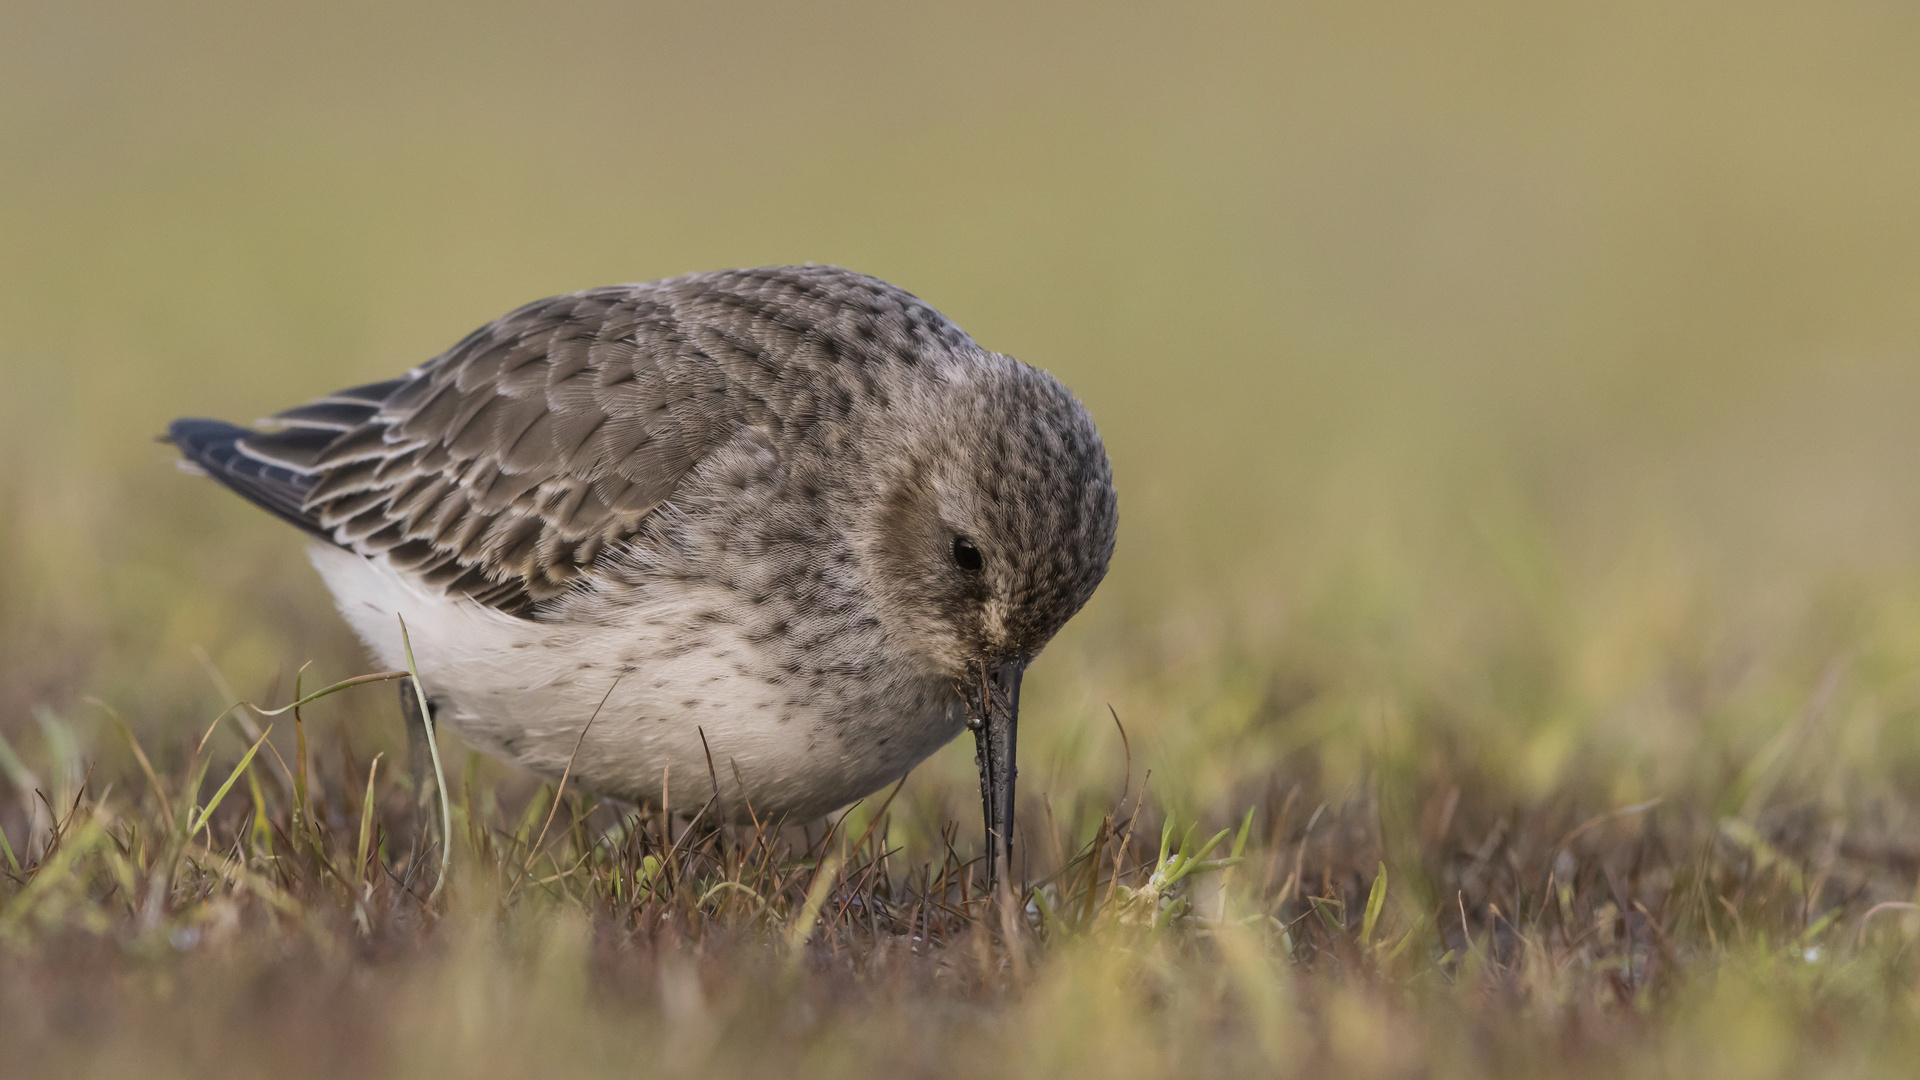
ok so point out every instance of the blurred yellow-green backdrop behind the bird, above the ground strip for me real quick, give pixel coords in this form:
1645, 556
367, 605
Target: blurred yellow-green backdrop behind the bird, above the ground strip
1500, 391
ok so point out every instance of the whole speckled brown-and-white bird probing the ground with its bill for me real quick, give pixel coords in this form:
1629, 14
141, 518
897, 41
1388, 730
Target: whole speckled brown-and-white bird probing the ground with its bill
752, 539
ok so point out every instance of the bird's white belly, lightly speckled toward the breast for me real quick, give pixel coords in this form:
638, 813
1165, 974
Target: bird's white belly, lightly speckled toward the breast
635, 710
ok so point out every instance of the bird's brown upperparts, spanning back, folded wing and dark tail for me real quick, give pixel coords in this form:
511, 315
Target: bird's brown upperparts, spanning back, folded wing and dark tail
508, 464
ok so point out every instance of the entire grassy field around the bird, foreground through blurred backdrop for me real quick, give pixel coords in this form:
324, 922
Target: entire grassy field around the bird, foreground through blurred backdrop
1514, 414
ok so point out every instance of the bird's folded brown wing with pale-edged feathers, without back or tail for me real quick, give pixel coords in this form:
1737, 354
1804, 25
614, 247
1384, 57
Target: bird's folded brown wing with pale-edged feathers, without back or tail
506, 466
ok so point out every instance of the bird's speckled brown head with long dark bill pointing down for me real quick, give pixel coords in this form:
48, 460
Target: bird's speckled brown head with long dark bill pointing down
994, 522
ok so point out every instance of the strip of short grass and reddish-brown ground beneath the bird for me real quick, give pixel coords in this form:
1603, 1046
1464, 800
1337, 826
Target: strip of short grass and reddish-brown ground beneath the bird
585, 935
